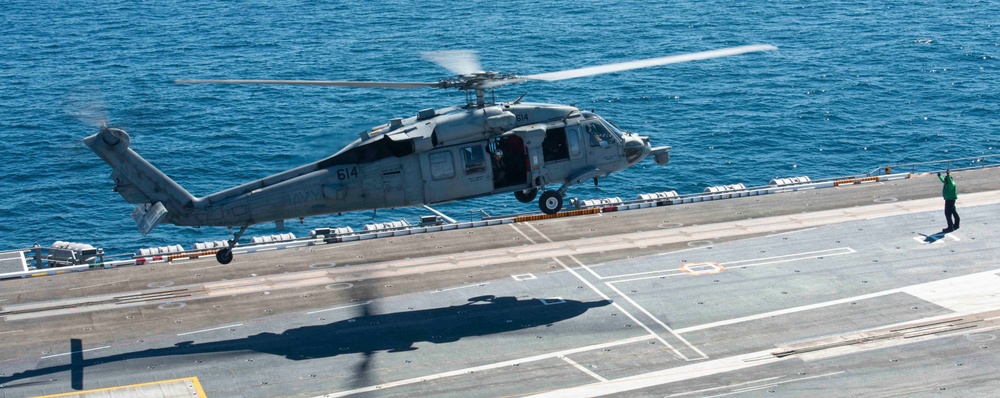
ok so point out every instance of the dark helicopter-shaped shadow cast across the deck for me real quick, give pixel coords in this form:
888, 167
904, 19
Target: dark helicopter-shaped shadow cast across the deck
366, 334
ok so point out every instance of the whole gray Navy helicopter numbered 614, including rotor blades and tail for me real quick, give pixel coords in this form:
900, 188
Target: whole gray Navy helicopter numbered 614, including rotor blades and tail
440, 155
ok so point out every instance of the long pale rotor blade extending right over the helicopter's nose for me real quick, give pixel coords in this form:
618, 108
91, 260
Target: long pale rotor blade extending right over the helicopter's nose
646, 63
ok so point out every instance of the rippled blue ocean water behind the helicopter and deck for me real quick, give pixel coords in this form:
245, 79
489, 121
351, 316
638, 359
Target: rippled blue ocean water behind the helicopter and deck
855, 85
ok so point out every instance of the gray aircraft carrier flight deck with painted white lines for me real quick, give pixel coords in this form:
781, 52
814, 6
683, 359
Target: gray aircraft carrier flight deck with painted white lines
847, 291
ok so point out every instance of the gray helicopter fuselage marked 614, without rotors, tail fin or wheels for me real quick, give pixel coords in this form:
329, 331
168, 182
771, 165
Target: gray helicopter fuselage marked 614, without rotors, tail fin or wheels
438, 156
